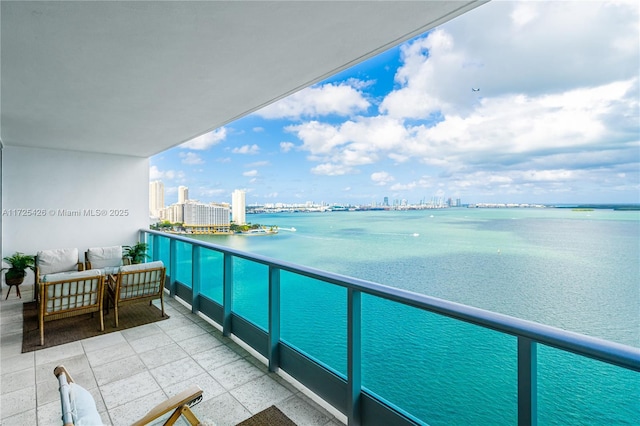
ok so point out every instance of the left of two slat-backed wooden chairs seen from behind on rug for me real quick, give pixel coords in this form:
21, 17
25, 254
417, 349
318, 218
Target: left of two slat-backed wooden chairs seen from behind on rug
69, 294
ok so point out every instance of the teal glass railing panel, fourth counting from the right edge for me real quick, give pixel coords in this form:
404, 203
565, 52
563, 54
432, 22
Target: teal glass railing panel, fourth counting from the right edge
251, 291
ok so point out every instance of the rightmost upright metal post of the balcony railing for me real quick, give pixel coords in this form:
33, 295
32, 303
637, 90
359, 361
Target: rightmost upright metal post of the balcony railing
527, 382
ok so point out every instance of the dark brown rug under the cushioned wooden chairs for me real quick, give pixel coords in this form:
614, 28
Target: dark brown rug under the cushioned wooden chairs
66, 330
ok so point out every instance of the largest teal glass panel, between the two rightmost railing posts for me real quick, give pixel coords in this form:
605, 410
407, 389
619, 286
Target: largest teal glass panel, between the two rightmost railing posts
442, 371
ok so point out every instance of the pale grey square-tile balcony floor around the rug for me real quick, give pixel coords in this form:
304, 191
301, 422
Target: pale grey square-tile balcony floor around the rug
129, 372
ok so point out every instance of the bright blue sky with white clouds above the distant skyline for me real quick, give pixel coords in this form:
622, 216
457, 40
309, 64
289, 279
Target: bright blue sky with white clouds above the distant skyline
556, 119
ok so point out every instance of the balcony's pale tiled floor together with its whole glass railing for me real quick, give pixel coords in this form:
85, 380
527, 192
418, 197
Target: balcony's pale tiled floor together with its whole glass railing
241, 342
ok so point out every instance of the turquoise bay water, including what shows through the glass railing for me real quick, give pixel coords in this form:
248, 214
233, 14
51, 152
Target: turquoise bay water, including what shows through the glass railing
576, 270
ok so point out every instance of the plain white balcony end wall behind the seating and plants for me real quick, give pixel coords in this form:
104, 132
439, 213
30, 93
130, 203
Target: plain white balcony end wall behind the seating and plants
58, 199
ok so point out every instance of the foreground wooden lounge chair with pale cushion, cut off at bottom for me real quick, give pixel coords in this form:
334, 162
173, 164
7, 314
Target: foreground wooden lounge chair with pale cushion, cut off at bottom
79, 407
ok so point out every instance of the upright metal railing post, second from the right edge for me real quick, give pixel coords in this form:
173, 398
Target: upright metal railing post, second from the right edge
354, 356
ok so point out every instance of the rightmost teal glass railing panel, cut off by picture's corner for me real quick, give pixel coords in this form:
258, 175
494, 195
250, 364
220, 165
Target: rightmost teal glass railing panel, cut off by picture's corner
574, 390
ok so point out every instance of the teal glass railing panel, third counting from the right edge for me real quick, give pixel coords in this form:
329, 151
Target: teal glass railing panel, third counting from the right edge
314, 319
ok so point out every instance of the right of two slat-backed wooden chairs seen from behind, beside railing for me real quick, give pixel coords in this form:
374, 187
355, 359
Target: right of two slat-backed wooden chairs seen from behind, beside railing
136, 283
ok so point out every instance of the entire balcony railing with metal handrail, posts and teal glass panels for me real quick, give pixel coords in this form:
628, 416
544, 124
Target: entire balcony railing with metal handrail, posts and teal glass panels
262, 301
